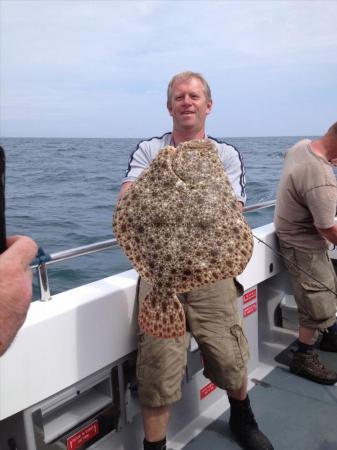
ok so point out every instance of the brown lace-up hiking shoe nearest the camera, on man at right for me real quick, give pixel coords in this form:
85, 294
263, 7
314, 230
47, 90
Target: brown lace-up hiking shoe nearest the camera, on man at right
308, 365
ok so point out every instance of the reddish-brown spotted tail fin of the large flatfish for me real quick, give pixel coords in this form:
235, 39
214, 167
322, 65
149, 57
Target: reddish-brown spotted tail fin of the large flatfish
162, 315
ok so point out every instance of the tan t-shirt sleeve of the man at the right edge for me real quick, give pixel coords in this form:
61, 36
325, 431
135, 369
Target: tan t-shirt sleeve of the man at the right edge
321, 202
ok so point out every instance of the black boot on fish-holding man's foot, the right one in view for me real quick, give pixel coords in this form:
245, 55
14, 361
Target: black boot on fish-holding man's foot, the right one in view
243, 425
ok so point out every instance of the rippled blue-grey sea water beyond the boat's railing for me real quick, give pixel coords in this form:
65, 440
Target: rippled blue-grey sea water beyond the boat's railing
62, 193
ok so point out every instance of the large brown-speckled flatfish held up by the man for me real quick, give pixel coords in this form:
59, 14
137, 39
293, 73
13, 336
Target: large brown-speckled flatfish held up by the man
180, 226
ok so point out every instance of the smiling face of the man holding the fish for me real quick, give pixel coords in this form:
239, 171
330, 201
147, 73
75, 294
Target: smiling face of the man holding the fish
189, 105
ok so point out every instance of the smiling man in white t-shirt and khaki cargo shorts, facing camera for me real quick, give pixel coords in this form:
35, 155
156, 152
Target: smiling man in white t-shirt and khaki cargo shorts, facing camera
210, 310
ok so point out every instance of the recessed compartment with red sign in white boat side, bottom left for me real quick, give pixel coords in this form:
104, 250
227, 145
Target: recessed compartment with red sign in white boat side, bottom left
77, 417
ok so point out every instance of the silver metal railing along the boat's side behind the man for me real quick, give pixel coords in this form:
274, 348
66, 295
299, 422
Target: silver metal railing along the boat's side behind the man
41, 266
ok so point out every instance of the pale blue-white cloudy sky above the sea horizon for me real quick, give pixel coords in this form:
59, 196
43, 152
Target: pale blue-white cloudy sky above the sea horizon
97, 68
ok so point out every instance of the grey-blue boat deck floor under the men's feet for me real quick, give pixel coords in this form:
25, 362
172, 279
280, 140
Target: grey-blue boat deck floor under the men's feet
295, 413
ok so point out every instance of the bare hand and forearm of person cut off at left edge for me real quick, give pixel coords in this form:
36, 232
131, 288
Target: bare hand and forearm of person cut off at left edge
15, 287
